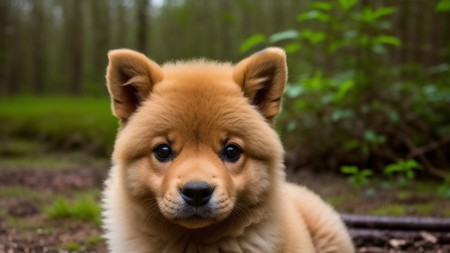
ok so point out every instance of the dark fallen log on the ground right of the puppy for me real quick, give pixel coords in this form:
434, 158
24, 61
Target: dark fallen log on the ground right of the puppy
397, 223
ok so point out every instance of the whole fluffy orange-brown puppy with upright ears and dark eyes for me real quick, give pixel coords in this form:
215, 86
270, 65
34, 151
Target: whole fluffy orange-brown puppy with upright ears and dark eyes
198, 167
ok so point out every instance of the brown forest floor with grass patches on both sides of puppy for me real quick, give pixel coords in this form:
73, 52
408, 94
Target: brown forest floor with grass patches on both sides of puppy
49, 201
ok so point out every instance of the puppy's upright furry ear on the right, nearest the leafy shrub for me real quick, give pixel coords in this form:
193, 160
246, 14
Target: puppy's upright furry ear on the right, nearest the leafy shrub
262, 77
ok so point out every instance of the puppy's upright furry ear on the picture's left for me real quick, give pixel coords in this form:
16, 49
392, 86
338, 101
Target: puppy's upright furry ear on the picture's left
130, 78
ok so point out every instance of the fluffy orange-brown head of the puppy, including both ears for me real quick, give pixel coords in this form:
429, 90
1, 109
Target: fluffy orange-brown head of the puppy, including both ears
196, 143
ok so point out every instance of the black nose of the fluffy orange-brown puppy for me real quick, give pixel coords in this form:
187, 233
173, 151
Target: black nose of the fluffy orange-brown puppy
196, 193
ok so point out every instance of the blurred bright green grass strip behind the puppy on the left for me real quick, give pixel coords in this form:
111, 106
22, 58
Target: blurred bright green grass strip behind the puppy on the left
61, 121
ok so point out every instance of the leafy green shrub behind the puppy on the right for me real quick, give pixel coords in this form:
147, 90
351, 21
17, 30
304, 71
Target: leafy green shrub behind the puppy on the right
349, 102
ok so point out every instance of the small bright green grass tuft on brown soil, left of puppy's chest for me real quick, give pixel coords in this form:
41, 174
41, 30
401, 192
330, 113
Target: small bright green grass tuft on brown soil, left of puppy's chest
84, 209
